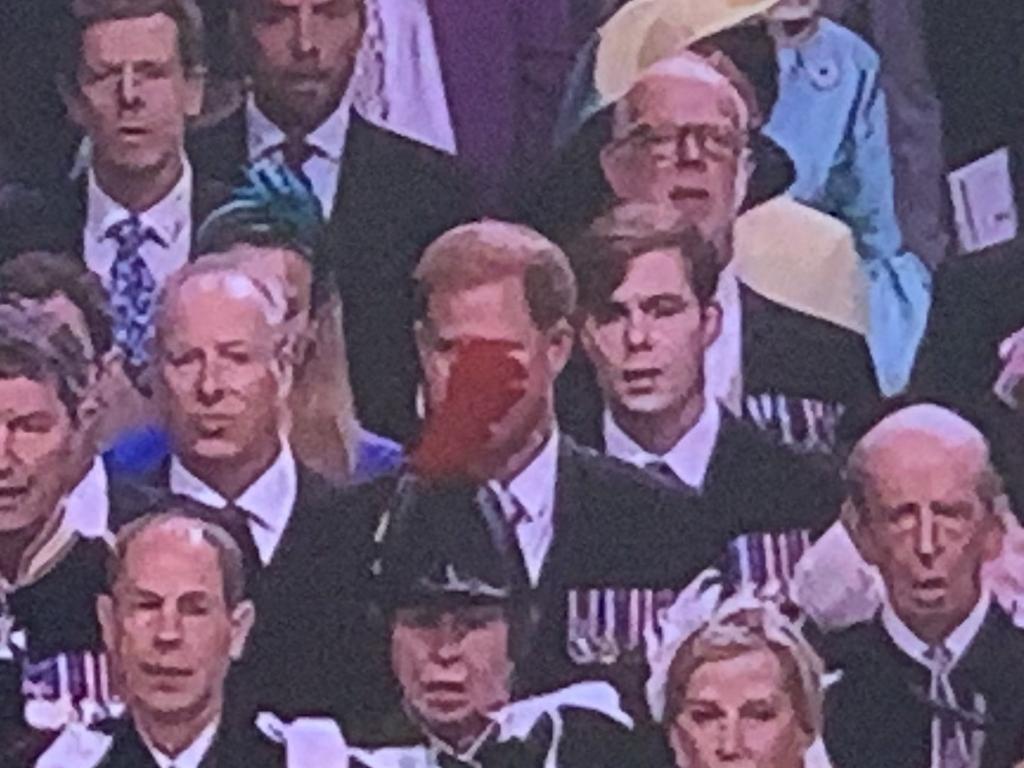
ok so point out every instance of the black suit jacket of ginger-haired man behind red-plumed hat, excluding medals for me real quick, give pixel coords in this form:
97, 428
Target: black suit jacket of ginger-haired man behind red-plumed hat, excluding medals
615, 529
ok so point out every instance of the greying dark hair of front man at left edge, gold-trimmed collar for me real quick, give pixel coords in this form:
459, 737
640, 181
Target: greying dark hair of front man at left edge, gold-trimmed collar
35, 346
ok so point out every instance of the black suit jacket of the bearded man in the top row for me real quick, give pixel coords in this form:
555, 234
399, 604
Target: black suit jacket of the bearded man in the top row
395, 198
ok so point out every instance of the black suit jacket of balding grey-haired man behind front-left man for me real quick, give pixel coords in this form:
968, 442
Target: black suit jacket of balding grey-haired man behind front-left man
306, 655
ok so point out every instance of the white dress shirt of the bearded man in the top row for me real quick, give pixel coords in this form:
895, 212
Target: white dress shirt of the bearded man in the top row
327, 142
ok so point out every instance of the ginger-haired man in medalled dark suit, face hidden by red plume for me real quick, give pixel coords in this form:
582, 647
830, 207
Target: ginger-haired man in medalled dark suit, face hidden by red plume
494, 333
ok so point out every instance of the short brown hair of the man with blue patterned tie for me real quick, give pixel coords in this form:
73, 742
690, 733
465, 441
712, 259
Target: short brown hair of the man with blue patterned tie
87, 14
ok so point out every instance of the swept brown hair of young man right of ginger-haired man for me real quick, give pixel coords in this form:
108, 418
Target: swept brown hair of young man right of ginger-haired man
603, 257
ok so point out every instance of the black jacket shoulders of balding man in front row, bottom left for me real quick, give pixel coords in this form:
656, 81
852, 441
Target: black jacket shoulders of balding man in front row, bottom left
237, 745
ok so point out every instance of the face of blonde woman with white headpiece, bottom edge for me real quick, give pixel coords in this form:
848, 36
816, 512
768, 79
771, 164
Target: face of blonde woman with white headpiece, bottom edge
738, 713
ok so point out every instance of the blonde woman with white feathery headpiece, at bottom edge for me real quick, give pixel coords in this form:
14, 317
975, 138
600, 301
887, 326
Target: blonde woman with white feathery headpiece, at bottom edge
736, 684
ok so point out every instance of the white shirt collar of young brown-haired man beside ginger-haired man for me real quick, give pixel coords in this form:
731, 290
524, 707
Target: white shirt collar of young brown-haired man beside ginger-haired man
689, 459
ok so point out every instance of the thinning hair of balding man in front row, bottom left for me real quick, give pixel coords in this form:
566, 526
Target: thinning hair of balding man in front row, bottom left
197, 517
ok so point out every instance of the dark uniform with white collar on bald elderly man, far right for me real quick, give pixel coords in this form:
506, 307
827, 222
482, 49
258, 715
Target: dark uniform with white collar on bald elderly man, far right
900, 704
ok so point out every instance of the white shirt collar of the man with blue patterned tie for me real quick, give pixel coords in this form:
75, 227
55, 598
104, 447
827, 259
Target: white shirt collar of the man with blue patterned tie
170, 218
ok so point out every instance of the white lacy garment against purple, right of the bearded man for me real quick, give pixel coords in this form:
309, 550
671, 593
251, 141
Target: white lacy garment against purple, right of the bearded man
399, 83
